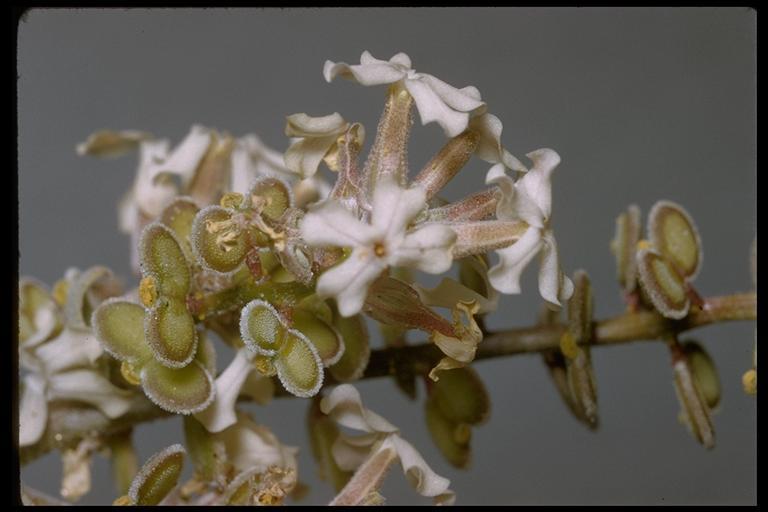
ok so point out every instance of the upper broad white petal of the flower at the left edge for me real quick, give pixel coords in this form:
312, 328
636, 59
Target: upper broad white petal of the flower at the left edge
69, 349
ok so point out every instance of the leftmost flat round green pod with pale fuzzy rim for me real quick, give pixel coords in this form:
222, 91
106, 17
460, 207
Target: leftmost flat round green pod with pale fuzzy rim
119, 327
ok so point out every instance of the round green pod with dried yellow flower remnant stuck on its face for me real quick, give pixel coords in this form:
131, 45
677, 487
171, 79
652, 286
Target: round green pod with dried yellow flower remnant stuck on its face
218, 242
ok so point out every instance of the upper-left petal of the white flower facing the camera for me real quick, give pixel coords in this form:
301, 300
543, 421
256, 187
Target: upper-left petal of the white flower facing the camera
331, 224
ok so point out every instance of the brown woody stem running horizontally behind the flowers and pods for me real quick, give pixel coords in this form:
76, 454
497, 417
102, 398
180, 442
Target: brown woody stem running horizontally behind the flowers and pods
68, 424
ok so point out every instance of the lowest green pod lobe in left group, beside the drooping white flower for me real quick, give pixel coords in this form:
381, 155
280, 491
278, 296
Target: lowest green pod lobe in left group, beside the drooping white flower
178, 390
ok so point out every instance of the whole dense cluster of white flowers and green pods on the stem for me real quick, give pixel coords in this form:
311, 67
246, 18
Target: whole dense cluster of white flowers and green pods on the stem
238, 239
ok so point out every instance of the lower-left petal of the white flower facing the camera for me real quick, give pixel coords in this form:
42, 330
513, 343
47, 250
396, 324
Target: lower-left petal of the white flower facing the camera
348, 282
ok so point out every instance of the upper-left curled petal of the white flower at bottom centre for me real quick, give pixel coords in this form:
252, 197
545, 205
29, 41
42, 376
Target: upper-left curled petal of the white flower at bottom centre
345, 407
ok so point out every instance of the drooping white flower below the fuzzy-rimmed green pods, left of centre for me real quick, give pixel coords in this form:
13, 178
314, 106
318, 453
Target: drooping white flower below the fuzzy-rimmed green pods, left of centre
229, 385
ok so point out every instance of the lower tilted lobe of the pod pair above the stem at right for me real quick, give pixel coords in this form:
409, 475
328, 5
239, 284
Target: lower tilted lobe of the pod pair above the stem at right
662, 284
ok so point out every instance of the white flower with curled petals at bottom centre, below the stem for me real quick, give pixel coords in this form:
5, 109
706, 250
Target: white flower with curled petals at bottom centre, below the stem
345, 407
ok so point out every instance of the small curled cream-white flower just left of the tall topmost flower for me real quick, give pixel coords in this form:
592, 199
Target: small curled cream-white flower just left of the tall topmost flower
314, 137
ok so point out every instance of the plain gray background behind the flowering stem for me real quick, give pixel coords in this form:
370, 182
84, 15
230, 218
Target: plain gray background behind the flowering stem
641, 104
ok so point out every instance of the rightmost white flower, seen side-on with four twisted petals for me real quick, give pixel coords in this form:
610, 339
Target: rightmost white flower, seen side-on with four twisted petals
530, 200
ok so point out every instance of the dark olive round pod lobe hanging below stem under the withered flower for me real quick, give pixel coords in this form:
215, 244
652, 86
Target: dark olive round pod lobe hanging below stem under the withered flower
461, 396
